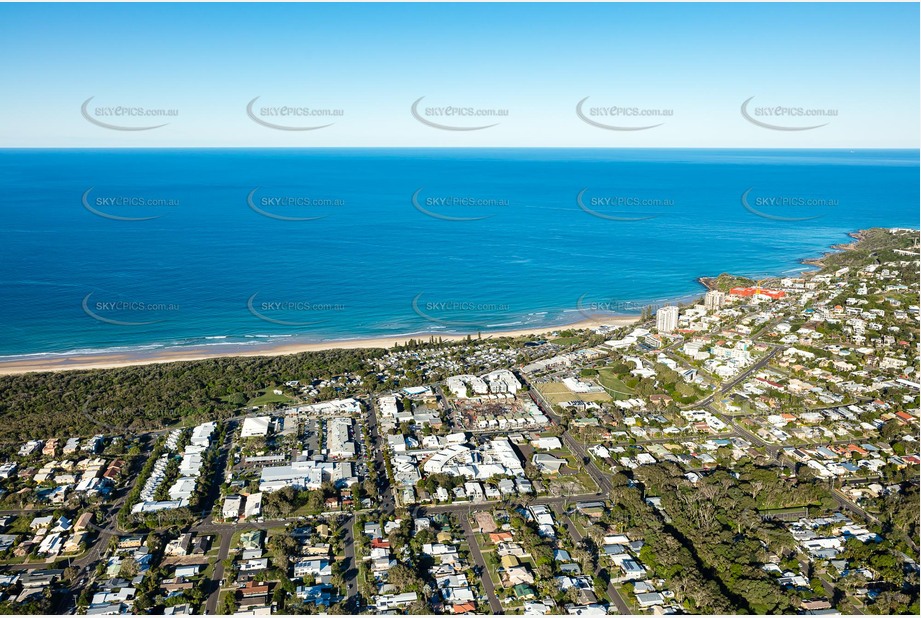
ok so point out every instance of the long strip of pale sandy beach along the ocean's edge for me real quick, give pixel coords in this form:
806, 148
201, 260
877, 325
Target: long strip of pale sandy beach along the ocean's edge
107, 361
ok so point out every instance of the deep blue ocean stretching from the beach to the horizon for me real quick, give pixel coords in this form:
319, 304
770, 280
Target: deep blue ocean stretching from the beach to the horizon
115, 250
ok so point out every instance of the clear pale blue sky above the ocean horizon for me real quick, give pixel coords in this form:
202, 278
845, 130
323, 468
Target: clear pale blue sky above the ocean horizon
538, 61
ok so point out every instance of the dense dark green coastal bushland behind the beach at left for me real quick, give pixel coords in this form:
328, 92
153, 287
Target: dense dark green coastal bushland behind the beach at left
147, 397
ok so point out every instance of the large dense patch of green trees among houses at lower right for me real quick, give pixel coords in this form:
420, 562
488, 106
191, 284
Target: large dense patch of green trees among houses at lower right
708, 540
